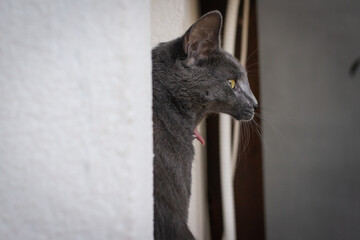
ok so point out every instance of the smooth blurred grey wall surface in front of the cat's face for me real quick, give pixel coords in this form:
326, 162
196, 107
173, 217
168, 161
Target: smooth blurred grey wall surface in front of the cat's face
308, 57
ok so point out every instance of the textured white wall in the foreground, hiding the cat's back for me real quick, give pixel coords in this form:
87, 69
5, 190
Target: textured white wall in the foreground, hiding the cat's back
75, 120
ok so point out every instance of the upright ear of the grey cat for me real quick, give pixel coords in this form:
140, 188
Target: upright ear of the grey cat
203, 37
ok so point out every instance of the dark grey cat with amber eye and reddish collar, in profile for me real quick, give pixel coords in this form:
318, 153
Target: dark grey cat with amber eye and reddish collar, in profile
192, 77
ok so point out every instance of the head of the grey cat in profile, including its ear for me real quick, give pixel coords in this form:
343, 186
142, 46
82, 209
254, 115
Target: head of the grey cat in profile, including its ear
222, 79
